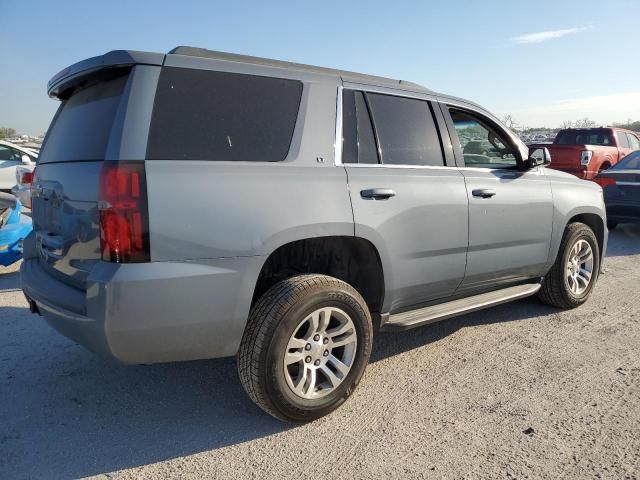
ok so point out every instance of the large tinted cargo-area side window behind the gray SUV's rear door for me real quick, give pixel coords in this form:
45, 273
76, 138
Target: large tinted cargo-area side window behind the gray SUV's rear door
207, 115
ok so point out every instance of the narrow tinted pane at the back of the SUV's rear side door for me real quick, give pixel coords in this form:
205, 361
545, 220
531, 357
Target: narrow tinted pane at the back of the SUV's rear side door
358, 141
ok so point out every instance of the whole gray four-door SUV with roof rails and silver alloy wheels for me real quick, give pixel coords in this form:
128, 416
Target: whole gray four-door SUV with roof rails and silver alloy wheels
199, 204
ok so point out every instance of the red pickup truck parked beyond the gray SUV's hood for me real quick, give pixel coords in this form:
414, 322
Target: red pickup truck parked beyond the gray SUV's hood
585, 152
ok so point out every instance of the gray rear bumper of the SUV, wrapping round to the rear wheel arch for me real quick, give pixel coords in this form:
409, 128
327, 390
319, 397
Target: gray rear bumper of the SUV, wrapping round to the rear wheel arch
151, 312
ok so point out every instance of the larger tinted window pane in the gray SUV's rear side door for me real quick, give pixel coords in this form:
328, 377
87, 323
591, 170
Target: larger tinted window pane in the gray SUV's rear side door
406, 130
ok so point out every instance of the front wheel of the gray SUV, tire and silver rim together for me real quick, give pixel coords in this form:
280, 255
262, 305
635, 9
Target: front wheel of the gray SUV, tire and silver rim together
571, 279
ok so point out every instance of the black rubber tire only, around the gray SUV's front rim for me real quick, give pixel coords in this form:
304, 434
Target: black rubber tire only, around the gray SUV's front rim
555, 287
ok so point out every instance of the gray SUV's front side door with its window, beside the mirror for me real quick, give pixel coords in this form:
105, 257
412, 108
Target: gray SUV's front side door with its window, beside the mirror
510, 209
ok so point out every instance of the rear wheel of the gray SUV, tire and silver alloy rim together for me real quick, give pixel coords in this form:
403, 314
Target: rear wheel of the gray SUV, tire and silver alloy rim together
305, 347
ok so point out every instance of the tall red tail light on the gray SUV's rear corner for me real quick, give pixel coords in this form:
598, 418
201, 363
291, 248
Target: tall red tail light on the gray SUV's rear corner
124, 218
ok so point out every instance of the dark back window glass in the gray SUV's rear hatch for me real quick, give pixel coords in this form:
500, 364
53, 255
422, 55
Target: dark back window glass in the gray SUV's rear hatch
82, 126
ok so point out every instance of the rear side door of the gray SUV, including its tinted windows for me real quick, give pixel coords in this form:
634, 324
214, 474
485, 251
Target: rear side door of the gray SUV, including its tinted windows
407, 199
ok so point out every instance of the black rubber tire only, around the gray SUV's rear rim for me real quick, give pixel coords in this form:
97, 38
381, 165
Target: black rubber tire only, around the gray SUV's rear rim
273, 320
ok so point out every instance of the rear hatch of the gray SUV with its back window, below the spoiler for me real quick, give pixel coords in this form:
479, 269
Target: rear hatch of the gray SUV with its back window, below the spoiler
86, 130
